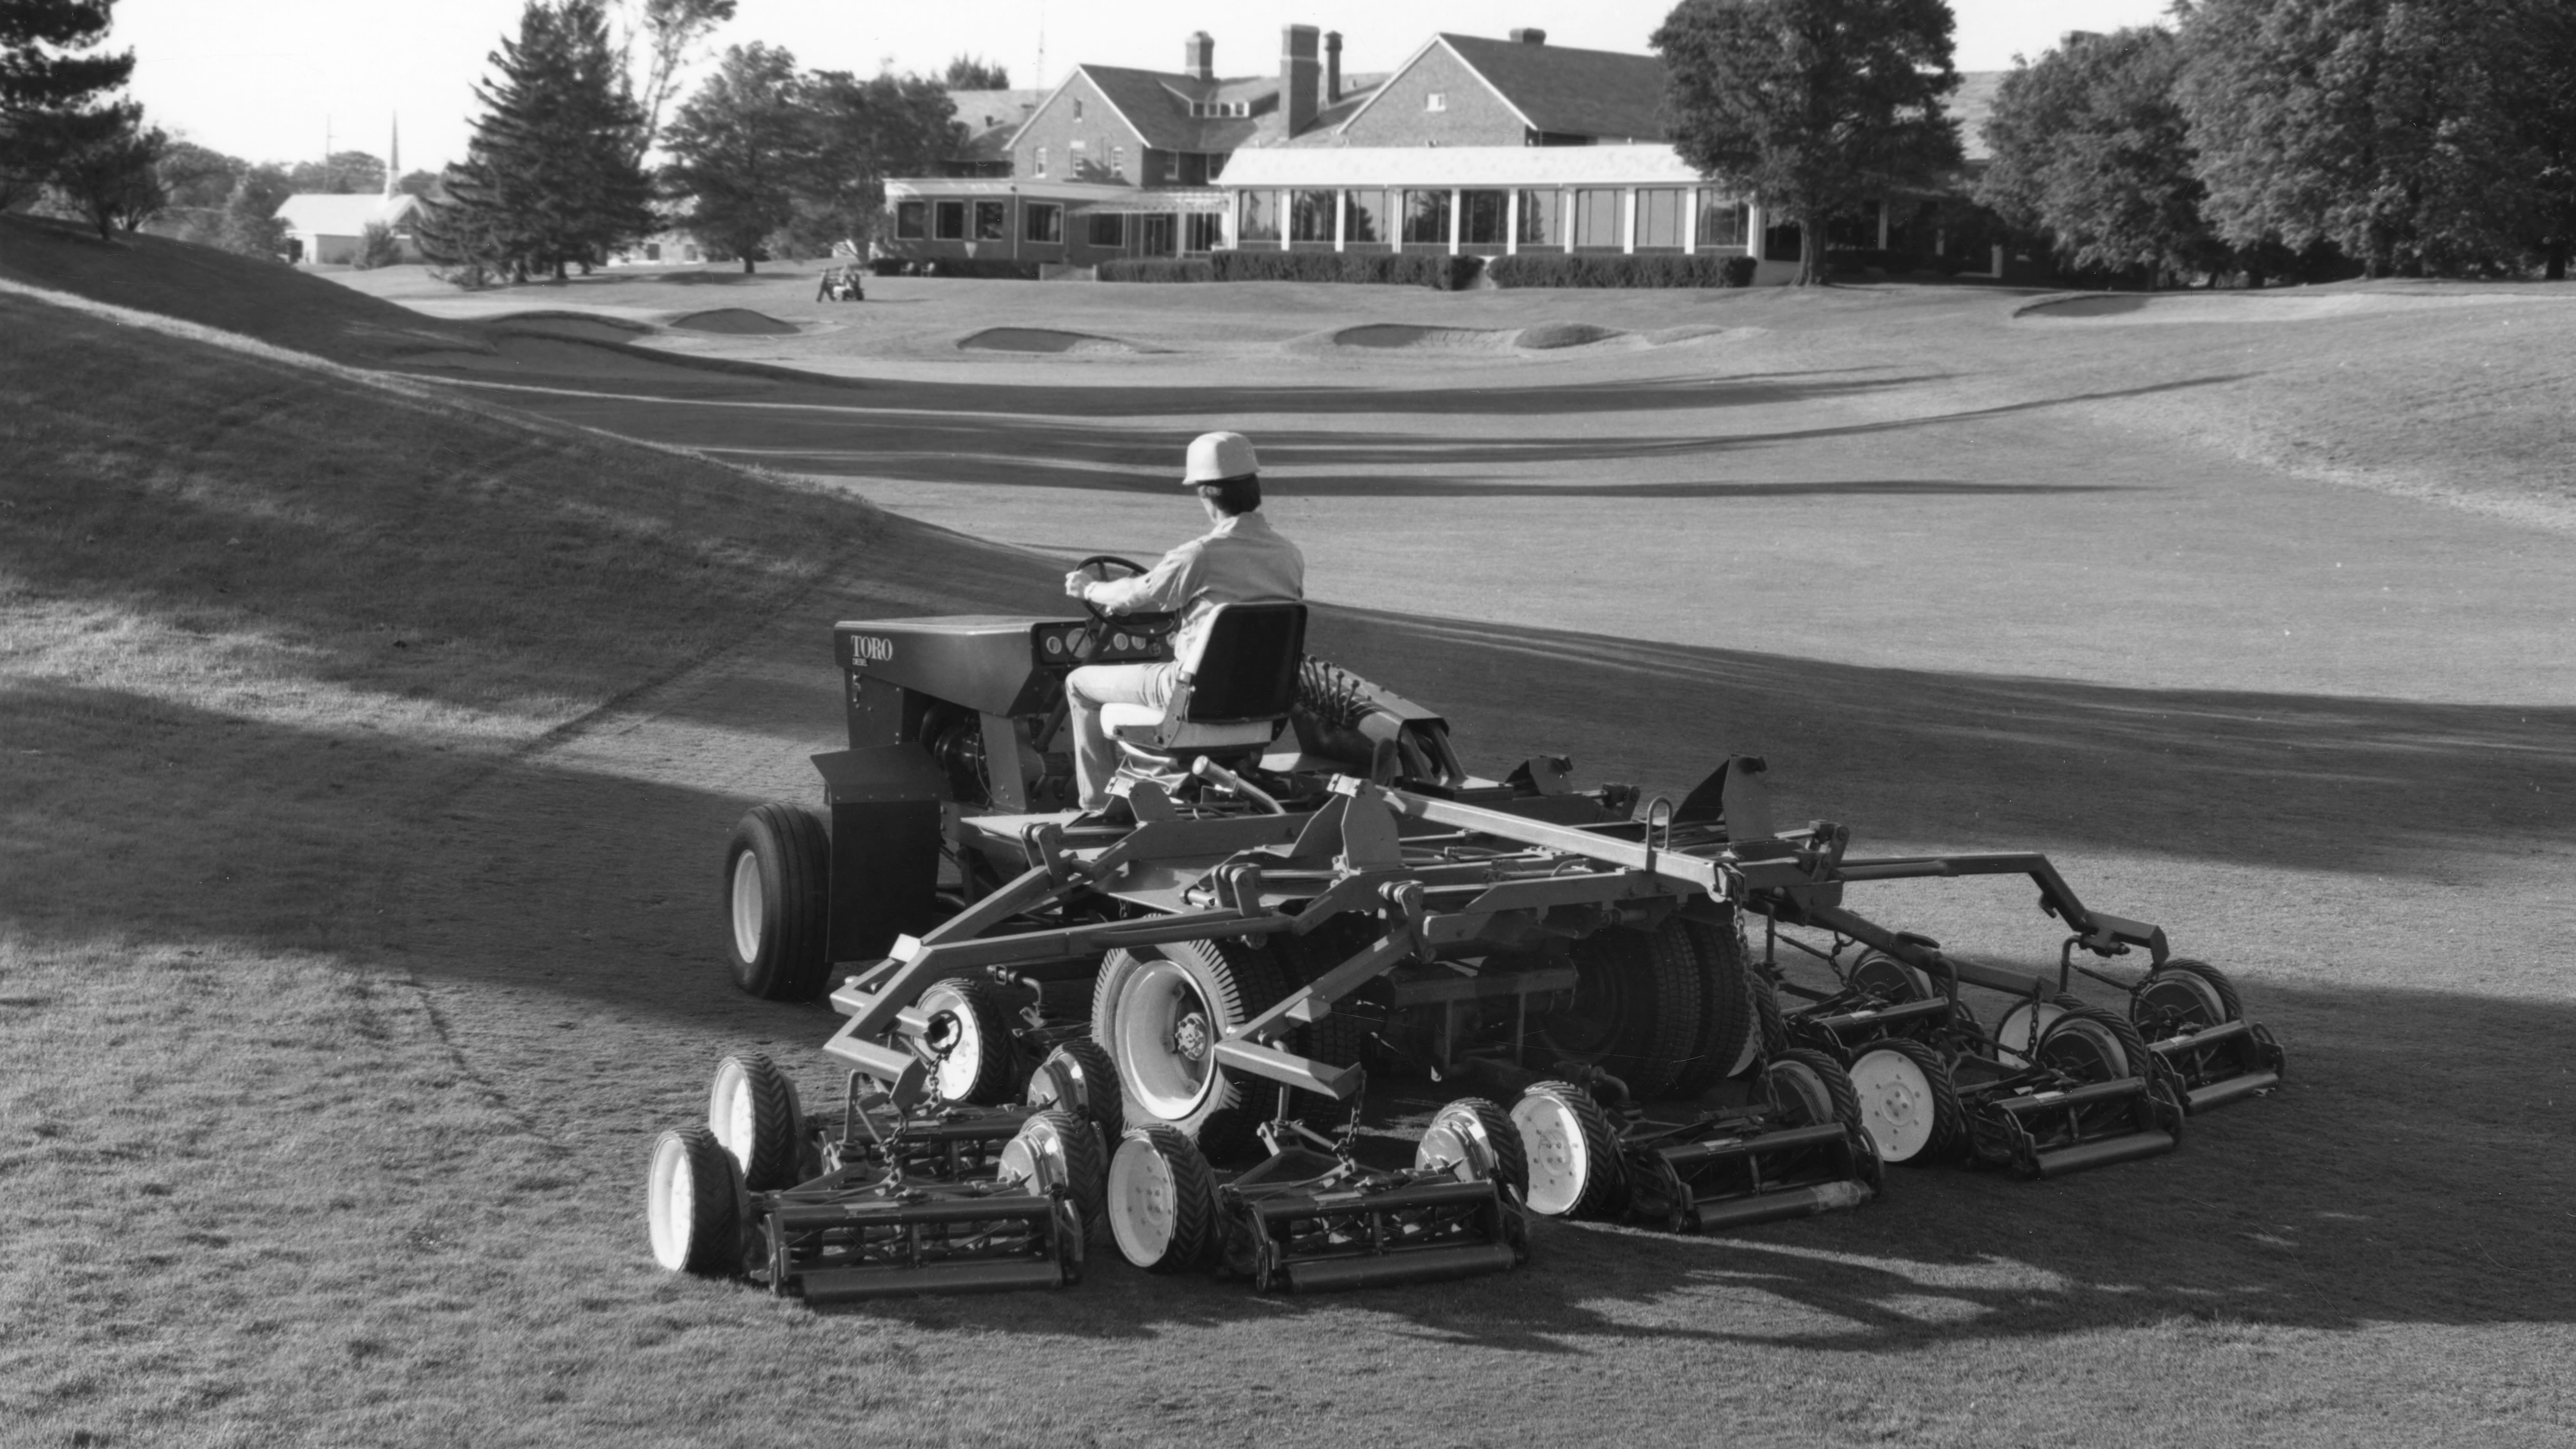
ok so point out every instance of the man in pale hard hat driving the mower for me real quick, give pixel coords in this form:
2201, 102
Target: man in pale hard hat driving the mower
1240, 561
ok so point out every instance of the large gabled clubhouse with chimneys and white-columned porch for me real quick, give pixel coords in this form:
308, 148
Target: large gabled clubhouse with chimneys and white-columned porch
1472, 146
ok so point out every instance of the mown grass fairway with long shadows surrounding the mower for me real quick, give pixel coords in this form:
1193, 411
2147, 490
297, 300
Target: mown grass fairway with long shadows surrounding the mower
367, 746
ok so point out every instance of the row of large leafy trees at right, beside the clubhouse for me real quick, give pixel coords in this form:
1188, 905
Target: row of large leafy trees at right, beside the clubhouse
2248, 141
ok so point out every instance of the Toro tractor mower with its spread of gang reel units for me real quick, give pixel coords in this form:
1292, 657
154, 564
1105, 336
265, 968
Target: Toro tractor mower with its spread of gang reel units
1297, 878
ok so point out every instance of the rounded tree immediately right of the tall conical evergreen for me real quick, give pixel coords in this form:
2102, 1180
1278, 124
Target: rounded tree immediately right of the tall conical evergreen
741, 148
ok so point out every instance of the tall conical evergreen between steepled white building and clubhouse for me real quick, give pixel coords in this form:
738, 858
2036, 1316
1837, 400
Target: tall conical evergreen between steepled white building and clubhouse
550, 177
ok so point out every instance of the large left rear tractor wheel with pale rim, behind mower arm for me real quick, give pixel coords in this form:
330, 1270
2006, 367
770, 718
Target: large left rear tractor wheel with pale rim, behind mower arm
1160, 1015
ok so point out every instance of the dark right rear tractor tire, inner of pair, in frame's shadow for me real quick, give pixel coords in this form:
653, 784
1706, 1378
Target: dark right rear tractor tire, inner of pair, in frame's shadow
1637, 1009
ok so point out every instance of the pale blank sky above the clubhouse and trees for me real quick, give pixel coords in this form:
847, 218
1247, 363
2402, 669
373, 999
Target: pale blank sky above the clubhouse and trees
269, 79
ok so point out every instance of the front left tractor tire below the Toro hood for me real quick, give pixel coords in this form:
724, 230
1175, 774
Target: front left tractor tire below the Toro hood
779, 904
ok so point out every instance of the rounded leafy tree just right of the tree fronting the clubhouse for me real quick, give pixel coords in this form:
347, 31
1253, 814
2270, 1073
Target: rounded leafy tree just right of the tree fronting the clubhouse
2093, 153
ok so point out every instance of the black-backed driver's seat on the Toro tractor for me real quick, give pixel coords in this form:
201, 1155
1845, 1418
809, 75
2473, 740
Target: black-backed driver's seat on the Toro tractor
1233, 695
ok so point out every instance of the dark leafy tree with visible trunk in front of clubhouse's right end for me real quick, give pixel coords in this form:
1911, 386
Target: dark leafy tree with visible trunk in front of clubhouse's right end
1812, 107
